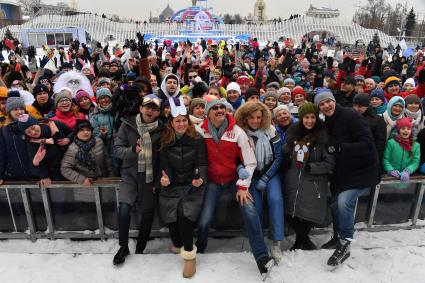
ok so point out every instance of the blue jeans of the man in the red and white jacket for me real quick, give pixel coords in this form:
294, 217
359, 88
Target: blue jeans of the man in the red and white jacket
249, 215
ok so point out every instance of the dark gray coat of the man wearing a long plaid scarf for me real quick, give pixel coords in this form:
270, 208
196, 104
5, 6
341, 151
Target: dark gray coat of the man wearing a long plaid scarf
125, 140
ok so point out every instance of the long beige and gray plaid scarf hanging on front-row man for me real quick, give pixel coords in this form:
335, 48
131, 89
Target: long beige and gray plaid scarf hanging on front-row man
145, 156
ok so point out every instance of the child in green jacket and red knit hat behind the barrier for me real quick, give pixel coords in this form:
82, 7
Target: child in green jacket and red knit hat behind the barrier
402, 154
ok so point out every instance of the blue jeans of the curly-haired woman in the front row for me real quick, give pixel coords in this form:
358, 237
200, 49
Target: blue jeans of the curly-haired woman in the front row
275, 201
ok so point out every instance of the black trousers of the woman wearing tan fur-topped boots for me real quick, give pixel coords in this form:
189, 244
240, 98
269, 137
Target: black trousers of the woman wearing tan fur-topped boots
181, 231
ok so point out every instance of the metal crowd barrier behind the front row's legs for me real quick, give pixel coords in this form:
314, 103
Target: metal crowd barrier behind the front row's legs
35, 213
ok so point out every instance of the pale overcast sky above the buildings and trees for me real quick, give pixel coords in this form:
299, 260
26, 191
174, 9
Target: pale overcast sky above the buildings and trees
139, 9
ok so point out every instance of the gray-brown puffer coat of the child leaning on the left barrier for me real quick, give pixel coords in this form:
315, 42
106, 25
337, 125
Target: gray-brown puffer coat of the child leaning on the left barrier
76, 173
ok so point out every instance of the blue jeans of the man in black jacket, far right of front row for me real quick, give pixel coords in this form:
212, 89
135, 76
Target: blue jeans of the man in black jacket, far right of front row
342, 206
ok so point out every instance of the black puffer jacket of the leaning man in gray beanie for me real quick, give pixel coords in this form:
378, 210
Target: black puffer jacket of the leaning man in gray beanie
356, 166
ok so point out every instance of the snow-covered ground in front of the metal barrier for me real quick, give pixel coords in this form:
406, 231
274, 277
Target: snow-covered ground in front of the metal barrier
394, 256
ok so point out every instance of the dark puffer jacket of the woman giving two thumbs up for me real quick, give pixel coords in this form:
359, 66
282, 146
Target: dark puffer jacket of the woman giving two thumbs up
179, 161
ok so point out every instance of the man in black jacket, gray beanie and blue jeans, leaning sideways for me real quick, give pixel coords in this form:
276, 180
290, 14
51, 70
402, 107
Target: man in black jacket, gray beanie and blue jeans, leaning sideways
356, 169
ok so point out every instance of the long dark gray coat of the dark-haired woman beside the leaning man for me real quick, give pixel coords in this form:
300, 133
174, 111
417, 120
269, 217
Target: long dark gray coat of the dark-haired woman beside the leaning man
306, 192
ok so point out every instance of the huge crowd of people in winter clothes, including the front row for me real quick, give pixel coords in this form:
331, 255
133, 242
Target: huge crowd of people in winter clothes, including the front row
183, 122
